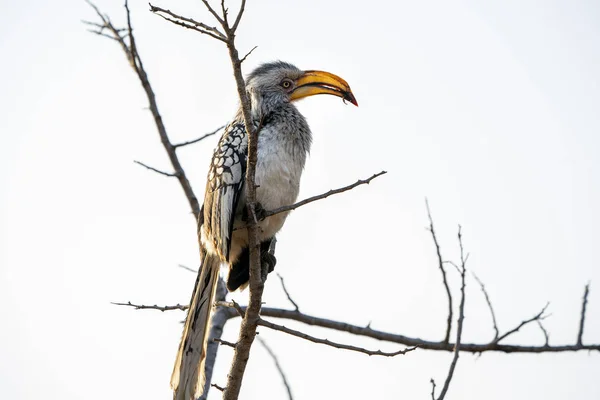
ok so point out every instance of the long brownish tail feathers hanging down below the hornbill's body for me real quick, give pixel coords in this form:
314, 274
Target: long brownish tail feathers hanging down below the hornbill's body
188, 377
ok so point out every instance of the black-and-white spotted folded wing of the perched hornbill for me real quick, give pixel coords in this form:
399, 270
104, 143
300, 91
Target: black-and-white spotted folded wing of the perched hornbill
224, 187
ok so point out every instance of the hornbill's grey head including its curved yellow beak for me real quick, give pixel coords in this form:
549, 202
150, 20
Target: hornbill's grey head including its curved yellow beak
279, 82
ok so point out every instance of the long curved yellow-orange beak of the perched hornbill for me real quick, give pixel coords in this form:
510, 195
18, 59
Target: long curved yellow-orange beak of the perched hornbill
321, 82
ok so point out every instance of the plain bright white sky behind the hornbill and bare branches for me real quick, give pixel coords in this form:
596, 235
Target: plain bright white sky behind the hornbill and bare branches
488, 109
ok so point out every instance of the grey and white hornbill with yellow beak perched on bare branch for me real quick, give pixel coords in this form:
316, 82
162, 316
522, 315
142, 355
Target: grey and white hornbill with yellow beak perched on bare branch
284, 141
